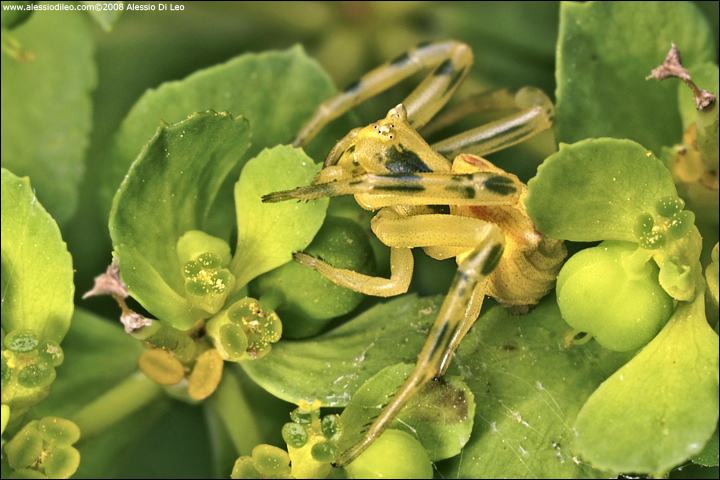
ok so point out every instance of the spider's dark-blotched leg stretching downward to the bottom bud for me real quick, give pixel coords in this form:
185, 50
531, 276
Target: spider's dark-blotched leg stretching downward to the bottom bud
458, 312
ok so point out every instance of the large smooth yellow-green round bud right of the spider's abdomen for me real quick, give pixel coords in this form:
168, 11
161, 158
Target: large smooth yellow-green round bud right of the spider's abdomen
621, 309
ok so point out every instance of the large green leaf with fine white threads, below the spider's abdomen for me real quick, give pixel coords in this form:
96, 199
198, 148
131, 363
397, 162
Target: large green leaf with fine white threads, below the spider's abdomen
528, 390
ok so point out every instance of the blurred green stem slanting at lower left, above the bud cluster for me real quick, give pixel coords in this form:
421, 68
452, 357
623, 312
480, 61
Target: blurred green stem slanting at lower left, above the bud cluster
127, 397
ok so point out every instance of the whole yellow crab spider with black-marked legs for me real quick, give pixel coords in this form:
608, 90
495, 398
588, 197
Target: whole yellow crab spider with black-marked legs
466, 208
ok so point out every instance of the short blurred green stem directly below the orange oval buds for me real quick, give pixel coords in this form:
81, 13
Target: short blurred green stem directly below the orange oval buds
233, 409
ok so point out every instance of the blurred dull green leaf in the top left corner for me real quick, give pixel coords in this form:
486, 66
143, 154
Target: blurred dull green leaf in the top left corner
46, 110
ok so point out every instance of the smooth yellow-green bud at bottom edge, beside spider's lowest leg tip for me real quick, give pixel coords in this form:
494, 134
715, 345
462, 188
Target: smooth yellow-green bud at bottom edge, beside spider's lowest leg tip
395, 454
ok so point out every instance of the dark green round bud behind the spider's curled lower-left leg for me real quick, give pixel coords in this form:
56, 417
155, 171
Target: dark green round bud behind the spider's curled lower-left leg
311, 301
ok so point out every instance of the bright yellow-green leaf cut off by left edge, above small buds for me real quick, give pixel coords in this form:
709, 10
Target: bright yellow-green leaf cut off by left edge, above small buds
37, 273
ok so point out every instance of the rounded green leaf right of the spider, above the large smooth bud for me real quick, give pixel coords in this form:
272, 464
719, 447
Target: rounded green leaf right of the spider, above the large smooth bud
595, 189
